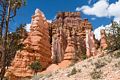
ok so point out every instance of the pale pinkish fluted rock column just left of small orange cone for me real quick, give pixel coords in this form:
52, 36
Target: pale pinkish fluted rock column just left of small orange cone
58, 46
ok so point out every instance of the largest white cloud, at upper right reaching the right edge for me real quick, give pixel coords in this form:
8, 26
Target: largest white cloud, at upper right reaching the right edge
102, 8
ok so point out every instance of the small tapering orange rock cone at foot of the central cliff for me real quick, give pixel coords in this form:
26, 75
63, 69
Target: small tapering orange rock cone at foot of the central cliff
70, 53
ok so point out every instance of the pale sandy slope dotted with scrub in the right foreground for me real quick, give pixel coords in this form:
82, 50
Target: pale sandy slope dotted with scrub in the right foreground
101, 67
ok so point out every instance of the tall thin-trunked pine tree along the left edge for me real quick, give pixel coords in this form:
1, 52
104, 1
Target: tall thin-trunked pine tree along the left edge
8, 12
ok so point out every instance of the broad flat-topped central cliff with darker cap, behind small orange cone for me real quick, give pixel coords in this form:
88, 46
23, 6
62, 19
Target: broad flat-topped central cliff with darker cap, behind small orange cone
64, 24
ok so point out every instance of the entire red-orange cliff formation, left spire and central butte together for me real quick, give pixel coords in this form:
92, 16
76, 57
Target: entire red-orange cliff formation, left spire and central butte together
69, 40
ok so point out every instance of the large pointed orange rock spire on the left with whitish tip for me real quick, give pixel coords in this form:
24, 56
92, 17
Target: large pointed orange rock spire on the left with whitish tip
36, 47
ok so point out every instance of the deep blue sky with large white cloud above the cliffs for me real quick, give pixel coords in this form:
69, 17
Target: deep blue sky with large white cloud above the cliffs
98, 12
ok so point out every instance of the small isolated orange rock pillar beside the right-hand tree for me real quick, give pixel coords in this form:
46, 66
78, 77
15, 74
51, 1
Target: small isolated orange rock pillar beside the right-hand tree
103, 40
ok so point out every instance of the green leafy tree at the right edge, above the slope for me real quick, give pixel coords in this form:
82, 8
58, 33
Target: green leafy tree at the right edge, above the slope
113, 36
